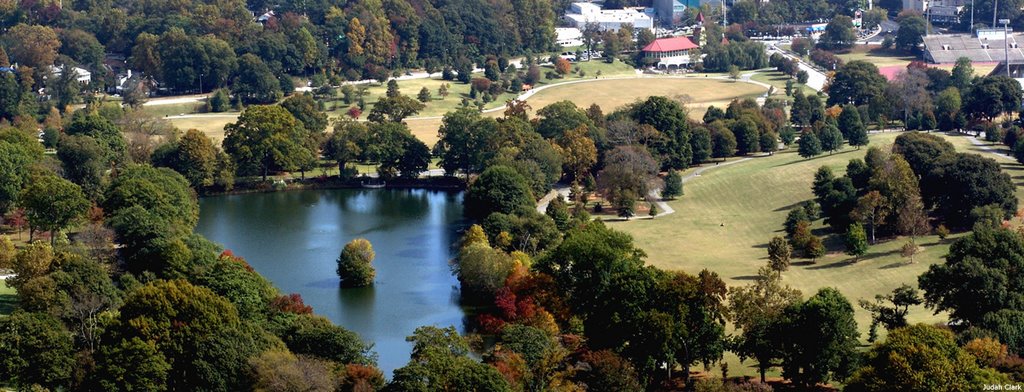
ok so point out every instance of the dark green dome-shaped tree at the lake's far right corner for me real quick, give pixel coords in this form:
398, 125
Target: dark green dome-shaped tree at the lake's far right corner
499, 189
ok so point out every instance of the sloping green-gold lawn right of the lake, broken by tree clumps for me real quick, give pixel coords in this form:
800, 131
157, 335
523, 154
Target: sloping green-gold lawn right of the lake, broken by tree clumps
728, 215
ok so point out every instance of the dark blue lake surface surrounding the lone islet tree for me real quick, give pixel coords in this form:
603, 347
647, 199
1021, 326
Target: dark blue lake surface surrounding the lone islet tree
294, 239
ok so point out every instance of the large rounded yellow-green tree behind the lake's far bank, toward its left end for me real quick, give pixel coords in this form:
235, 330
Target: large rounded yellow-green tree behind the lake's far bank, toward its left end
265, 140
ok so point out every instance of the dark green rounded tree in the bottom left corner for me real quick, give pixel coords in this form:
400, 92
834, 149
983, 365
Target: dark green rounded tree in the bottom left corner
36, 351
